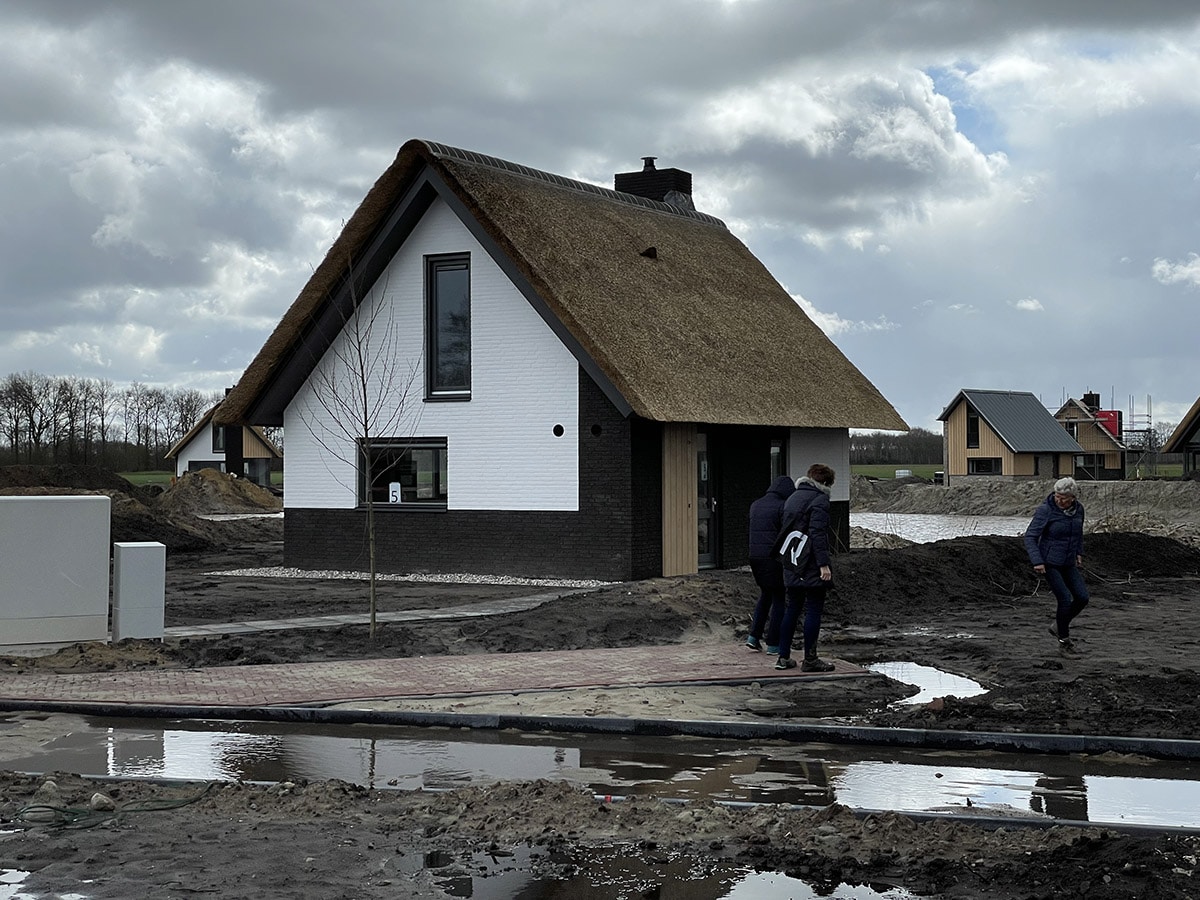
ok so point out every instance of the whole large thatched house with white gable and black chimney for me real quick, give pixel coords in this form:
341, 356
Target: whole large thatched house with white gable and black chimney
602, 380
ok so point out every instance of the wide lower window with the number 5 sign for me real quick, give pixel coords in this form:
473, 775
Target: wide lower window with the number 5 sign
406, 472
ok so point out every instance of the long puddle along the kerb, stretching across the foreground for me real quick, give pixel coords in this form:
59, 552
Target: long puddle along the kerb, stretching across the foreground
1133, 791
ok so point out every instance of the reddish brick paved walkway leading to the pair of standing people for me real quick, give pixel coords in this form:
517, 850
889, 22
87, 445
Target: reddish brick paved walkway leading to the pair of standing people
321, 683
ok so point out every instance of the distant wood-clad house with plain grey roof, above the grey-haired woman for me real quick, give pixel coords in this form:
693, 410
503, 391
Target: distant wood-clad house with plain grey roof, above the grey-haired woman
1005, 435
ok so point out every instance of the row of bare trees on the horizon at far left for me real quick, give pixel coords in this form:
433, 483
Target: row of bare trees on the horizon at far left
52, 421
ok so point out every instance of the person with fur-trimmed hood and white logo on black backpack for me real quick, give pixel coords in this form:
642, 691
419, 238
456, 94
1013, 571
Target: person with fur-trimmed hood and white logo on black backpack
808, 511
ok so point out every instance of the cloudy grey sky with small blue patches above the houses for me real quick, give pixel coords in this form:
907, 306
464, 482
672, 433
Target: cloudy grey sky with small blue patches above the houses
963, 194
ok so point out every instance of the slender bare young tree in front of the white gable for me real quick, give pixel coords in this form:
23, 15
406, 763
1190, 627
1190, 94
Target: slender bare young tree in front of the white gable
362, 392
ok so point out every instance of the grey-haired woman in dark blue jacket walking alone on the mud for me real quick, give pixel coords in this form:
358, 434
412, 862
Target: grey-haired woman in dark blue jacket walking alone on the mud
1055, 544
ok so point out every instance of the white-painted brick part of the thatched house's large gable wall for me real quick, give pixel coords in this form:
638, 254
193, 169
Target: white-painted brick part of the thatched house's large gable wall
502, 449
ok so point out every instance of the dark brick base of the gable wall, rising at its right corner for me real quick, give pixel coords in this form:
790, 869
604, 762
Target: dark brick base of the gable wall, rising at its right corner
596, 543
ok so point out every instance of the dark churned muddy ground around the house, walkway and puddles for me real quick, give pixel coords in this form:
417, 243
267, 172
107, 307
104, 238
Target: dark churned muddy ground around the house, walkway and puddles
971, 607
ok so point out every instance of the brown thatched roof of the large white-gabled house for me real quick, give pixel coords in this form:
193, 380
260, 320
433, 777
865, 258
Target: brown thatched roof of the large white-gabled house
671, 315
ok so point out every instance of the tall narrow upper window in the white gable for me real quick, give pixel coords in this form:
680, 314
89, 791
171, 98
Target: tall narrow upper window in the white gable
448, 327
